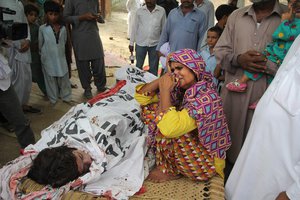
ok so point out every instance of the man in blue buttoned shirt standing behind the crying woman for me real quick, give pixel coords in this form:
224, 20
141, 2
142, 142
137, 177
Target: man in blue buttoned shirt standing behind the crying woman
185, 28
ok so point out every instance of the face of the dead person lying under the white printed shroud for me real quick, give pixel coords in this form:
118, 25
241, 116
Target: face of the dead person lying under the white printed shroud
83, 161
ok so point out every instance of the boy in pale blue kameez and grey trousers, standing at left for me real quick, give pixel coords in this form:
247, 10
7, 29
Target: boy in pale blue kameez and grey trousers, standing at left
52, 40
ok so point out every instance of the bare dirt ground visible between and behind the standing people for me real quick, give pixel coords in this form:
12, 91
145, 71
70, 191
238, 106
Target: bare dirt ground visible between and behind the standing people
114, 38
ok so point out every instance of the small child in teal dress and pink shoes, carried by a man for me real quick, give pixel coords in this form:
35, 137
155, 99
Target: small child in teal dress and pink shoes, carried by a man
283, 38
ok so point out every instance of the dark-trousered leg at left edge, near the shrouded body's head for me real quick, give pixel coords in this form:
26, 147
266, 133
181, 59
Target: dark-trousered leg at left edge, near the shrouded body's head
11, 109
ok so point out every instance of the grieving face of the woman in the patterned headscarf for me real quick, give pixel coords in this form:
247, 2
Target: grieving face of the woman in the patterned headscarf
183, 75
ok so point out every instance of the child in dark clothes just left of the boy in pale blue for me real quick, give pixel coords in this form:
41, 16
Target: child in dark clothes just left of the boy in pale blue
32, 13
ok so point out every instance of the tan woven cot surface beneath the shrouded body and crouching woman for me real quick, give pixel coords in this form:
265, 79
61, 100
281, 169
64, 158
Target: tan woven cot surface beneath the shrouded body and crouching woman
180, 189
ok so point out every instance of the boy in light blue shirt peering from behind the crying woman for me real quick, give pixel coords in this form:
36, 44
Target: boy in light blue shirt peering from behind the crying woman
207, 53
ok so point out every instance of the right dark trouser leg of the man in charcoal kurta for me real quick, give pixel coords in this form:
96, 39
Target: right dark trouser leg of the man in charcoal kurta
98, 67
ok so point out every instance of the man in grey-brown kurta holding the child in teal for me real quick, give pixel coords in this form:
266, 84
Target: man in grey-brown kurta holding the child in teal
244, 38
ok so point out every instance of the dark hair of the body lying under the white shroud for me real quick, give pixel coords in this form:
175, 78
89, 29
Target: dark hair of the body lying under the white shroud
54, 166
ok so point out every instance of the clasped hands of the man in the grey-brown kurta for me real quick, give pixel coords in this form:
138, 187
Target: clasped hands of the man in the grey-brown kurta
252, 61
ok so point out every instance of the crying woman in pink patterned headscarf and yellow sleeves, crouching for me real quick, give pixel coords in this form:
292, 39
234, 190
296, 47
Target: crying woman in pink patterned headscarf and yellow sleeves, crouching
188, 131
